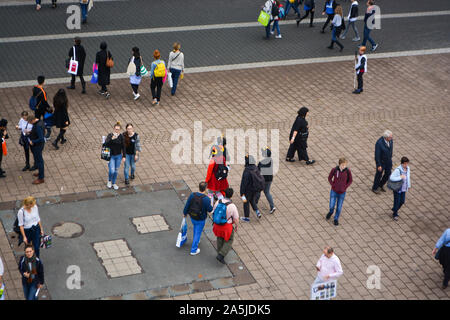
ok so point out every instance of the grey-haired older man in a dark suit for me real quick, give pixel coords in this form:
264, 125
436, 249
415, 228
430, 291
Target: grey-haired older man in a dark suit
383, 157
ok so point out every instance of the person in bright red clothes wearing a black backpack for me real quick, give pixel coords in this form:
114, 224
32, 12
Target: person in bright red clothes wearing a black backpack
216, 176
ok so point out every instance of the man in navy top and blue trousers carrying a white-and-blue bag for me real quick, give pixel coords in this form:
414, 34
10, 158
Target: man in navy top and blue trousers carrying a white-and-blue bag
197, 206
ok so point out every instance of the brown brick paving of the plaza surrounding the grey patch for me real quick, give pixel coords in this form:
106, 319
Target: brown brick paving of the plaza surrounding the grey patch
407, 95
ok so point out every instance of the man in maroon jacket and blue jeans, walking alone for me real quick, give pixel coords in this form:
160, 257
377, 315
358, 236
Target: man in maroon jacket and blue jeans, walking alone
340, 179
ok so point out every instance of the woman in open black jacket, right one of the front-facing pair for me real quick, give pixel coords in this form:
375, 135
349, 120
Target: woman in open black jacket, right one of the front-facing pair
132, 151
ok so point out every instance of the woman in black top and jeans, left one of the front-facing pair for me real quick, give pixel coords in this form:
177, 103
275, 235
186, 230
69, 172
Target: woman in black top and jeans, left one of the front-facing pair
115, 141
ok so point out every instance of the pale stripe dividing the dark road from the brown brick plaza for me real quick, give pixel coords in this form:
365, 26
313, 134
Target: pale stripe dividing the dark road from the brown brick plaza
243, 66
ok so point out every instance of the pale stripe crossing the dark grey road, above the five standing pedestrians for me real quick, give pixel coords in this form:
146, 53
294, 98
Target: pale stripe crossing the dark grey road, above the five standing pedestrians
194, 28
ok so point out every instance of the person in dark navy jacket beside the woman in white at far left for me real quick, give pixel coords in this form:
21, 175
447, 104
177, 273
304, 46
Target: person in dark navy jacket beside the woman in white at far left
37, 143
